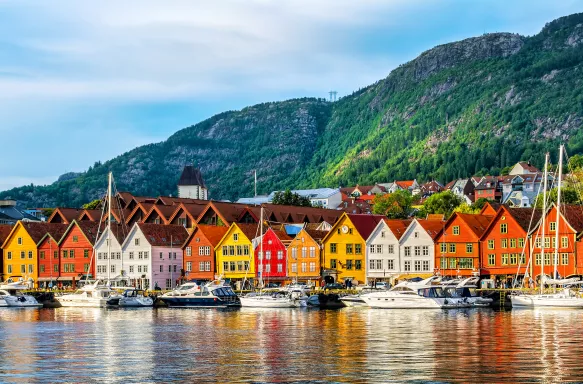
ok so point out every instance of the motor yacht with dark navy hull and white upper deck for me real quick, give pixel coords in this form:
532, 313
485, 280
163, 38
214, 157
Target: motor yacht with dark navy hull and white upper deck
212, 295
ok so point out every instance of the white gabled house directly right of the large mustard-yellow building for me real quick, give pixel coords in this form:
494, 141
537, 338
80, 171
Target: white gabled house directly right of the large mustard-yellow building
382, 250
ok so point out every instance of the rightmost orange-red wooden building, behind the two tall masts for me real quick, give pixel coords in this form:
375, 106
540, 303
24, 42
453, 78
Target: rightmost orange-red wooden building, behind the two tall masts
569, 228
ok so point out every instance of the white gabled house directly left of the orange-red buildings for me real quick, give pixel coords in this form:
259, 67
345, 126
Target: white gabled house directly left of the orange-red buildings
417, 248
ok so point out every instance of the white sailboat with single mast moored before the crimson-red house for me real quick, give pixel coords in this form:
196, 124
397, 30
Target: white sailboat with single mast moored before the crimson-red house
278, 299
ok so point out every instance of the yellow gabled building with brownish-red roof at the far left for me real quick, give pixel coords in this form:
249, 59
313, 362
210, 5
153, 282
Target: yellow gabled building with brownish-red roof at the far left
20, 254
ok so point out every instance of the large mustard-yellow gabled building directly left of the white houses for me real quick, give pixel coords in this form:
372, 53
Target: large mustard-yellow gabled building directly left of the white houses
345, 247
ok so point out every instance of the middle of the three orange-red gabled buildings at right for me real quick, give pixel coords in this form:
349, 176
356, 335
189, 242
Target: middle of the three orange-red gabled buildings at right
506, 242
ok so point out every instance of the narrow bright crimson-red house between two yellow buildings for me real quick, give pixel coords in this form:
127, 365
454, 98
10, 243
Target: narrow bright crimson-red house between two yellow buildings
274, 258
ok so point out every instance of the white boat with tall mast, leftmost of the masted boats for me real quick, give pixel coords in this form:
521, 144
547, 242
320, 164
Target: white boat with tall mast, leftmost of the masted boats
98, 293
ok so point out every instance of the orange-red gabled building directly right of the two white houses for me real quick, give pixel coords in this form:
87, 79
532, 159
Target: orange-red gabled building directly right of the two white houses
457, 251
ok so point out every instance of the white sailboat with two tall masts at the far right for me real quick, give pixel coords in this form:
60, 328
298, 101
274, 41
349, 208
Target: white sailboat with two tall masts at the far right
565, 298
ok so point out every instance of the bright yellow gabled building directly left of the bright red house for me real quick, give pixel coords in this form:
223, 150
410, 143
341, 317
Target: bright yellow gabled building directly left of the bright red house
234, 253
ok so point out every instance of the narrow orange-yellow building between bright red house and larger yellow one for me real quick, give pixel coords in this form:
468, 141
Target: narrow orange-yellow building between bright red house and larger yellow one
304, 256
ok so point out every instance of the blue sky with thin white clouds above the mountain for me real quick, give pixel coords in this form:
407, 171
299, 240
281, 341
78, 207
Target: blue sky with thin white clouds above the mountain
85, 81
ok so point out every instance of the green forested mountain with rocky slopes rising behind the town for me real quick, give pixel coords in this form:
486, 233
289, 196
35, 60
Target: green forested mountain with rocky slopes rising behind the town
469, 107
